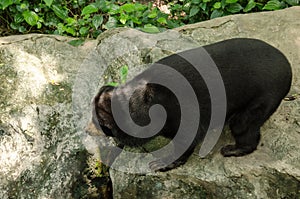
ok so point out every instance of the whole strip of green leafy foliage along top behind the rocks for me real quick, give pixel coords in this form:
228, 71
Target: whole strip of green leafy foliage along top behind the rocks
88, 18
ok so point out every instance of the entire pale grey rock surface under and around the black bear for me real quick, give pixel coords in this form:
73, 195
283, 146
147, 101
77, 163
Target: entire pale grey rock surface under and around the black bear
45, 94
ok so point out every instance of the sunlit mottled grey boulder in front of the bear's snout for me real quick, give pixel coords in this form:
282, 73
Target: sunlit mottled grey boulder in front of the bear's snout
41, 151
